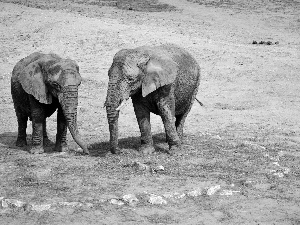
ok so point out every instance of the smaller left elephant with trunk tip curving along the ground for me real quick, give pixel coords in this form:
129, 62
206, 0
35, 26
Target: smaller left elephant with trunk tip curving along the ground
40, 84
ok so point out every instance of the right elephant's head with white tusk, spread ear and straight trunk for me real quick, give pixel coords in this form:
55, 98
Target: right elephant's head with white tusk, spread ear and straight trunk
135, 71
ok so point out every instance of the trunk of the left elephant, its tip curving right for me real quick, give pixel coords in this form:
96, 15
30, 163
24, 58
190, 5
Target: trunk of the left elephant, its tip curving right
69, 102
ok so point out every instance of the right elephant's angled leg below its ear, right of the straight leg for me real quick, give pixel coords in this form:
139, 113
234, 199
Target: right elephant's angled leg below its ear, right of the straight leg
166, 107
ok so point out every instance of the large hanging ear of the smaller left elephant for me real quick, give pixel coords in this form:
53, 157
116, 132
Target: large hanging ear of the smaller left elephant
32, 79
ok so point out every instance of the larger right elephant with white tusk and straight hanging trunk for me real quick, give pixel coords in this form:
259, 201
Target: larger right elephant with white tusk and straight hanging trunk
163, 80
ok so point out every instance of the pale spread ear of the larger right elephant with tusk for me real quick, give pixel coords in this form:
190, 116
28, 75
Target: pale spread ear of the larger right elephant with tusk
158, 72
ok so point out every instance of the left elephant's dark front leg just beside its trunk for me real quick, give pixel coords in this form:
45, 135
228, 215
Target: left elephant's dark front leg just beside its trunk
61, 136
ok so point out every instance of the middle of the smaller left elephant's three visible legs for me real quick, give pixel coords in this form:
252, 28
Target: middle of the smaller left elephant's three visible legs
38, 117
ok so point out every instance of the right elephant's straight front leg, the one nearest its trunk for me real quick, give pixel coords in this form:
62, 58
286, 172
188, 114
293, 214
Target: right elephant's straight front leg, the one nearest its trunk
143, 118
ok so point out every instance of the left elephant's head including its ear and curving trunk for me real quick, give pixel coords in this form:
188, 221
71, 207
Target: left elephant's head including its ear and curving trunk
47, 76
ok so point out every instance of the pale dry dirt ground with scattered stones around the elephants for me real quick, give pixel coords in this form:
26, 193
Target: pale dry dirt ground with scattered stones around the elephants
240, 162
